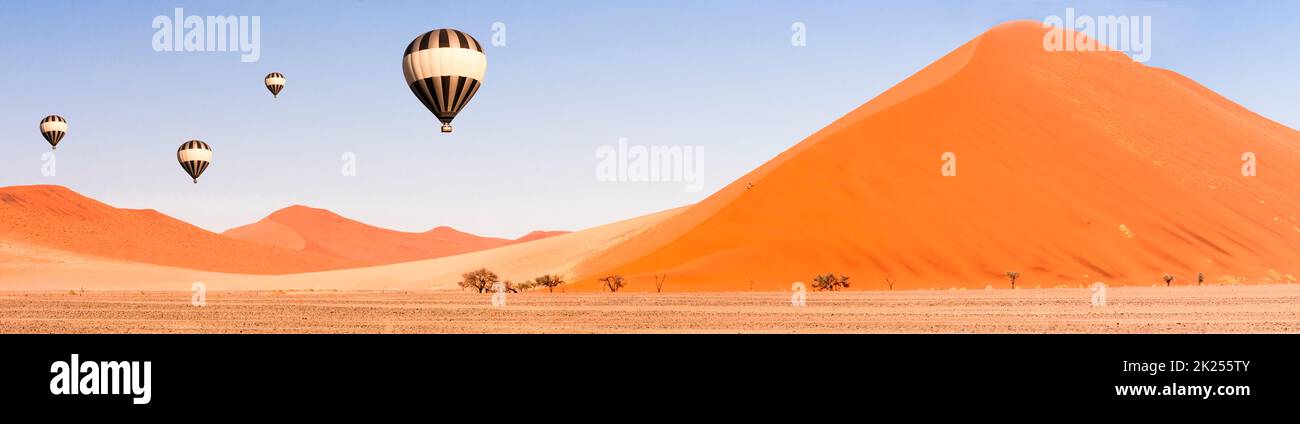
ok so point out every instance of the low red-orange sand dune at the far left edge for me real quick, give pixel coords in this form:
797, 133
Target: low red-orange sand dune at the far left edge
60, 219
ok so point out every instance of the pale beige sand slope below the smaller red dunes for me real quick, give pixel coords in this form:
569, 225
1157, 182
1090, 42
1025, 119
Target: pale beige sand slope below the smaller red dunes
24, 267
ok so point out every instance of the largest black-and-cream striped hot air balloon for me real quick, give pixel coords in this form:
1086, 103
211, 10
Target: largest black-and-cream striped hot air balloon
444, 70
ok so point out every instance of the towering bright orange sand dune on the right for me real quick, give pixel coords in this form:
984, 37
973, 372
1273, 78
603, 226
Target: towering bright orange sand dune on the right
1055, 153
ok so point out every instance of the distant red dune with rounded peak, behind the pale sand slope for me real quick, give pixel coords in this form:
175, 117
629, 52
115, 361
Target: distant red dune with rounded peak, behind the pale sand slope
327, 233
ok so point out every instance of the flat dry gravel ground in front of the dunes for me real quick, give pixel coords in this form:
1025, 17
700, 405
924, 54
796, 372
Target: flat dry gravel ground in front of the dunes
1275, 309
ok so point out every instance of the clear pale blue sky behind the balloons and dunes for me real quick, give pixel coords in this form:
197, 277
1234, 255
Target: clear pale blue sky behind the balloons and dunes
574, 76
